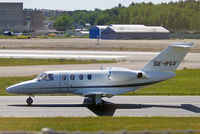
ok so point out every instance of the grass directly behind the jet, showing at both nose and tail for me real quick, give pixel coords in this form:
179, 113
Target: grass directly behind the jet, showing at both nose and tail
185, 83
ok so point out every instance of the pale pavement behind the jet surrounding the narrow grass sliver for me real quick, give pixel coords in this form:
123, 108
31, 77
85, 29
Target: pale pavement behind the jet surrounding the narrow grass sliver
131, 60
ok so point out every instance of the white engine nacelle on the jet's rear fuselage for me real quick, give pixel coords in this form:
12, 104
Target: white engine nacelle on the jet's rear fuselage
124, 75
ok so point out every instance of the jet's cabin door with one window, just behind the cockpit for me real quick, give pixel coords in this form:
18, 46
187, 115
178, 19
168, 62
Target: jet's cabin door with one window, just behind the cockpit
64, 83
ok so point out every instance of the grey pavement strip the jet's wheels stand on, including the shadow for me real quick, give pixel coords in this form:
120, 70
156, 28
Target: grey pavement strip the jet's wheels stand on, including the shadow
75, 106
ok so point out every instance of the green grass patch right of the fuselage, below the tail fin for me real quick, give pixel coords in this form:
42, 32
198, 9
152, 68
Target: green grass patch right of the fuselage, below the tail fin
186, 82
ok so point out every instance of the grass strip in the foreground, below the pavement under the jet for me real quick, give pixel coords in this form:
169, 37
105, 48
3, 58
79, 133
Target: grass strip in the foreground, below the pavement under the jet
100, 123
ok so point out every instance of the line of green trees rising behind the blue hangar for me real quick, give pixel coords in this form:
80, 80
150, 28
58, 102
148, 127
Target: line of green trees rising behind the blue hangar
182, 15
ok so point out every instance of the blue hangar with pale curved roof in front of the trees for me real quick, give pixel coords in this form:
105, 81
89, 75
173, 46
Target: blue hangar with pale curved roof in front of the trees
120, 32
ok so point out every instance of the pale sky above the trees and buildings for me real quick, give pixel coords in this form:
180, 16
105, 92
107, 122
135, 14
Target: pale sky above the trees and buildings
70, 5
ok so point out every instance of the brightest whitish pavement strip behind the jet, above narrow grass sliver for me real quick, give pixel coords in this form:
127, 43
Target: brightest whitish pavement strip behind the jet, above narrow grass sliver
67, 54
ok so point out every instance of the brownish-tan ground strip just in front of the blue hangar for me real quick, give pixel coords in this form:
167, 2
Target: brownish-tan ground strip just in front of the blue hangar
91, 44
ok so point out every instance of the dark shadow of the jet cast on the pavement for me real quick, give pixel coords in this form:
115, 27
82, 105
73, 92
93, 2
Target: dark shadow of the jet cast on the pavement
109, 108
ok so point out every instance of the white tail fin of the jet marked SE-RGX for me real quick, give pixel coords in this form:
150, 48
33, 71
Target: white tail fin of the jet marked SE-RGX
169, 59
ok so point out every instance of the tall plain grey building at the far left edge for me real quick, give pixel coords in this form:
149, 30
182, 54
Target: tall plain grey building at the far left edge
11, 17
